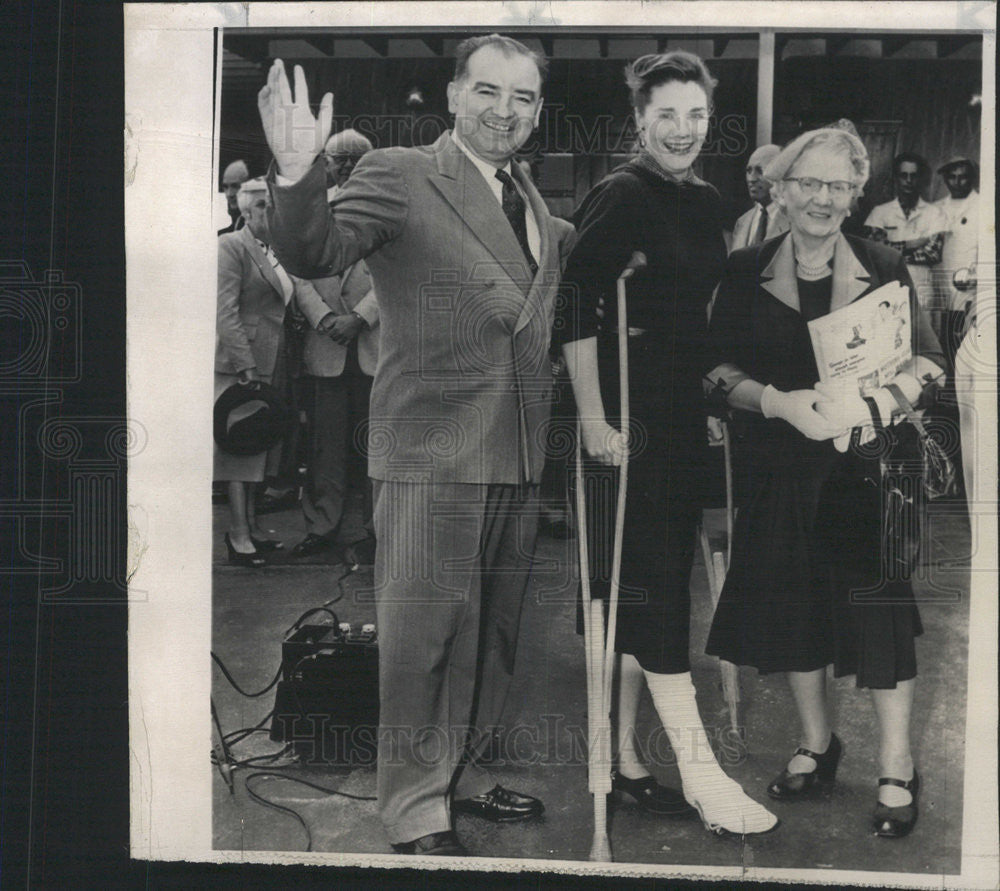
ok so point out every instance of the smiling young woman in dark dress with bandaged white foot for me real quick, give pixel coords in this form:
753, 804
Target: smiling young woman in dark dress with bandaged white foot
653, 204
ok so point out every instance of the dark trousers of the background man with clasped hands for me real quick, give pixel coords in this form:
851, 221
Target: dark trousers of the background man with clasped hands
336, 408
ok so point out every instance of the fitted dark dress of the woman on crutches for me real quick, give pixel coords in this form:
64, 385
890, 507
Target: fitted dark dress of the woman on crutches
679, 229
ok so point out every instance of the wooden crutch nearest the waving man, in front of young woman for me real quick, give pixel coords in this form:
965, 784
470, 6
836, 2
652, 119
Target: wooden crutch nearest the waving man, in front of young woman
600, 652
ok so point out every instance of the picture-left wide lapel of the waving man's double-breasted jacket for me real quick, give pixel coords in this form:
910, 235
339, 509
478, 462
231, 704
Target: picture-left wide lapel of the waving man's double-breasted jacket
464, 188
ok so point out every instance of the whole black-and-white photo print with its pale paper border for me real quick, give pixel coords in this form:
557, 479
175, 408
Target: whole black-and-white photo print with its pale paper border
568, 438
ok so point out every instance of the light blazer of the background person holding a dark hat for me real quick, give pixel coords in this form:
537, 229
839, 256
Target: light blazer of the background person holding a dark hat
251, 306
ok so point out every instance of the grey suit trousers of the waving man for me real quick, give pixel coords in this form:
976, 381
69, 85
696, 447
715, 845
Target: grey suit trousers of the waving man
451, 572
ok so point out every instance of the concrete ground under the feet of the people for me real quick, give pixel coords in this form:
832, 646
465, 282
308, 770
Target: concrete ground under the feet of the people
546, 718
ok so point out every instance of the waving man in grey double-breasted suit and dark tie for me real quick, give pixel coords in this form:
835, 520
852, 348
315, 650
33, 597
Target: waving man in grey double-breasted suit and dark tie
465, 260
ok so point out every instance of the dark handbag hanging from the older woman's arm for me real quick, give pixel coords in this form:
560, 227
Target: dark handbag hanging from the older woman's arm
915, 470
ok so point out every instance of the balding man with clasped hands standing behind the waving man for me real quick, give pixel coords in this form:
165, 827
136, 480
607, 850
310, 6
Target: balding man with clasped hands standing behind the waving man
339, 357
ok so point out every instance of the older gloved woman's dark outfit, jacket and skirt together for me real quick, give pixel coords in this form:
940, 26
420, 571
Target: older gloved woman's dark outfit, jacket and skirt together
805, 587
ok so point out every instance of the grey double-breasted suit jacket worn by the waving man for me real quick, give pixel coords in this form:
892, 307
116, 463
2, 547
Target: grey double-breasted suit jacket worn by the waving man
463, 383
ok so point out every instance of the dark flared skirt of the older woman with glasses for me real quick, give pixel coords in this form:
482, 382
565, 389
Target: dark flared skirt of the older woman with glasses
806, 587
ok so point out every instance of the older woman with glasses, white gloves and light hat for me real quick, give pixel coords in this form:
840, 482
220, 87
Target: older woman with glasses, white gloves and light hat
807, 543
